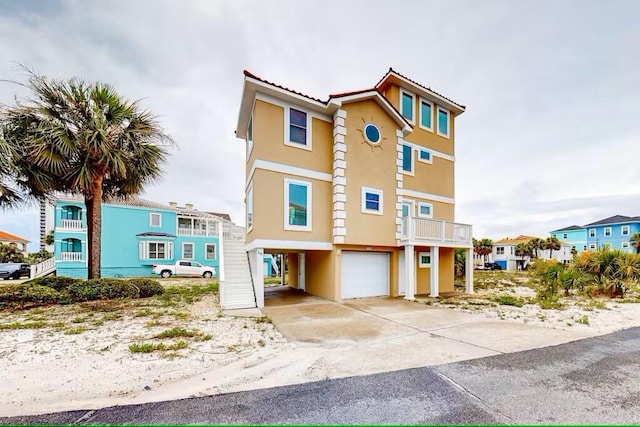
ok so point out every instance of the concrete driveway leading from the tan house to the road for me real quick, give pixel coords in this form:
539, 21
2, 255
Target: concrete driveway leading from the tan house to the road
369, 335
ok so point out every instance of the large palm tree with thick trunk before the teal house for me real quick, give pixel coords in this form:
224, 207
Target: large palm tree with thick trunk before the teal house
83, 139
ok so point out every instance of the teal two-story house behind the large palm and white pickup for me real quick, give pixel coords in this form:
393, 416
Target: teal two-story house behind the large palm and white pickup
136, 234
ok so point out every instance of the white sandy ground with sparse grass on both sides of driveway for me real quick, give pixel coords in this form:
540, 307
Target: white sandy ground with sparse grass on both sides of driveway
54, 368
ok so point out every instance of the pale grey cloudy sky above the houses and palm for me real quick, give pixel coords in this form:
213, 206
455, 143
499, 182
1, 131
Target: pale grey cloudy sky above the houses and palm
549, 139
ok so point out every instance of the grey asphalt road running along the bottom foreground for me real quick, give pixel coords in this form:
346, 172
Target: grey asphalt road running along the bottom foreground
596, 380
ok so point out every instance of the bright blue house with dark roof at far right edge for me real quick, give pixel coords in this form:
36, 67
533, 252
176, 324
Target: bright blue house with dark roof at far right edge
614, 231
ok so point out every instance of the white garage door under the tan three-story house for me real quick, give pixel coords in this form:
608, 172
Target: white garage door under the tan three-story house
365, 274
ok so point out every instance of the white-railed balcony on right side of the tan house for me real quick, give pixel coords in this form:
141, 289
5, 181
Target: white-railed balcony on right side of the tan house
425, 230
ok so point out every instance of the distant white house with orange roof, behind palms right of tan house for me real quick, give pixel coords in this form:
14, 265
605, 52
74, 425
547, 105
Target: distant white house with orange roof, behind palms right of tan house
504, 253
